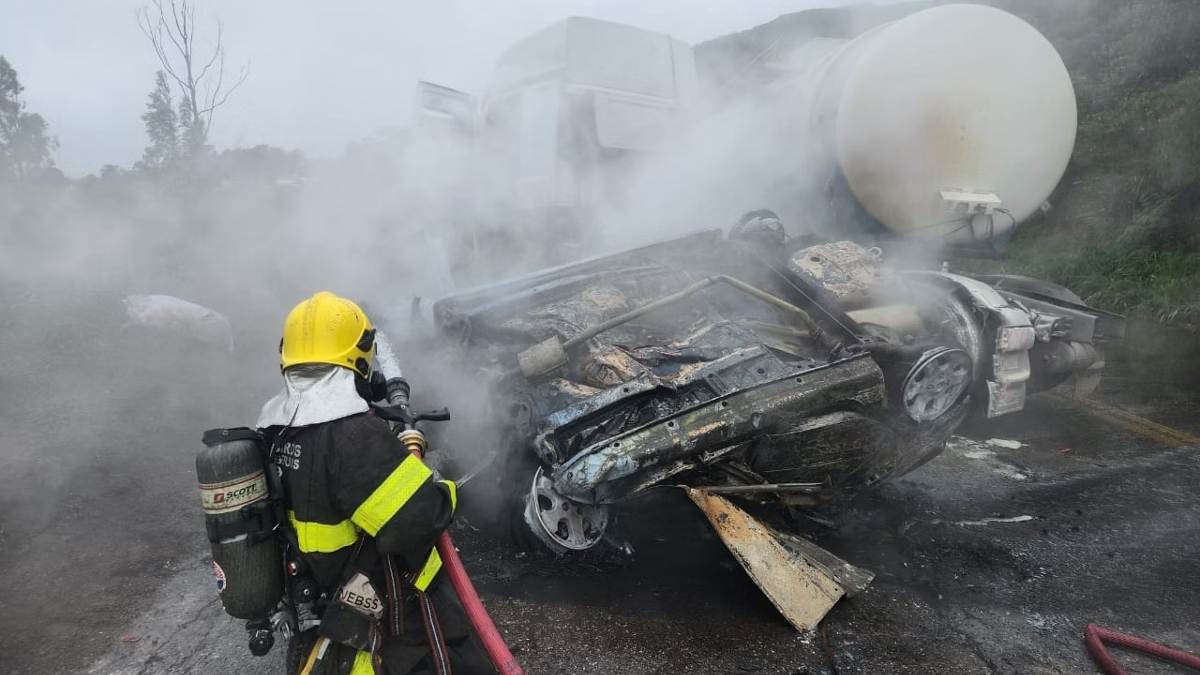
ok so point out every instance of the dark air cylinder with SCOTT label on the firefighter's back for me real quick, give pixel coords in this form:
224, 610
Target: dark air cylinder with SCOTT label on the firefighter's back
241, 518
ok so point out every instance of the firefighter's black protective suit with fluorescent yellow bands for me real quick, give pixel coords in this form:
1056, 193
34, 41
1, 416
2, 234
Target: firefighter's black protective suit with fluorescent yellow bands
352, 480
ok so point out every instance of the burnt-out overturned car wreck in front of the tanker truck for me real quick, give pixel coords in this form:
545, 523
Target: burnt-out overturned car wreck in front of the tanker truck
789, 372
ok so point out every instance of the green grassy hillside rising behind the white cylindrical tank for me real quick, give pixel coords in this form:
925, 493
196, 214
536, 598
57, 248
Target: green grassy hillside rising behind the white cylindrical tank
1125, 225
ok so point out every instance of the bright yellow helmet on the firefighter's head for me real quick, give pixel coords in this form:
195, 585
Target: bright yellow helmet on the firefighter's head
331, 330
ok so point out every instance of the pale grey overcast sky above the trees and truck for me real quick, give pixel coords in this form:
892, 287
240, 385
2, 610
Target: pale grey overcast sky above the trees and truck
321, 75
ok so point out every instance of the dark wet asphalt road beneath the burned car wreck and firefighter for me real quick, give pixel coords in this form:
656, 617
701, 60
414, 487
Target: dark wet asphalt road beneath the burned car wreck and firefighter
1113, 539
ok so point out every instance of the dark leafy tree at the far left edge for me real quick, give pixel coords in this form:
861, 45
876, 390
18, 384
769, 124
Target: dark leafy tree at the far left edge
26, 145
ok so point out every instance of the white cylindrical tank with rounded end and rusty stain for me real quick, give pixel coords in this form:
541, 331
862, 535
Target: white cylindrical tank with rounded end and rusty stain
938, 116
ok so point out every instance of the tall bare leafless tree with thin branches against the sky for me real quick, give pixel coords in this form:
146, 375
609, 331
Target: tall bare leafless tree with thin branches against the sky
171, 28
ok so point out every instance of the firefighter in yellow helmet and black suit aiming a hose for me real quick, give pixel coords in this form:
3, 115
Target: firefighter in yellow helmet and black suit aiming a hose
364, 512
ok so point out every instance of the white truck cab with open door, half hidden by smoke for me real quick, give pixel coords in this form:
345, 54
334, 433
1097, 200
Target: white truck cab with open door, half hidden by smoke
566, 110
